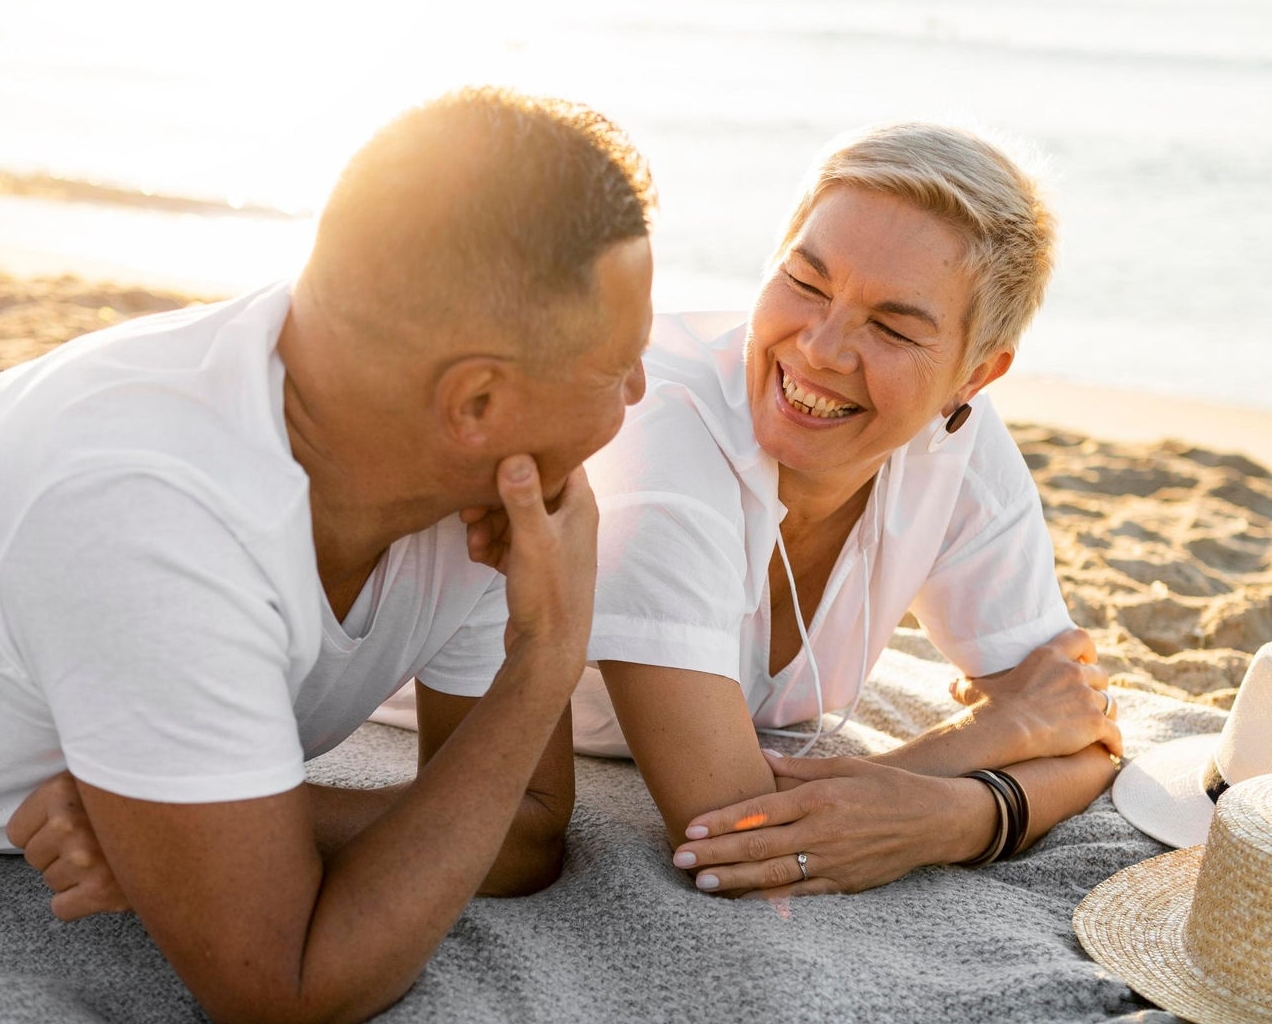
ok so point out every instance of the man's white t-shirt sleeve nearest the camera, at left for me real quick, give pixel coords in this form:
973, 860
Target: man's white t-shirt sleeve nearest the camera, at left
157, 640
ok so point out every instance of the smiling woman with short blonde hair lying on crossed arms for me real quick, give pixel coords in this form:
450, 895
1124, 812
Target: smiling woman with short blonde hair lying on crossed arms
787, 493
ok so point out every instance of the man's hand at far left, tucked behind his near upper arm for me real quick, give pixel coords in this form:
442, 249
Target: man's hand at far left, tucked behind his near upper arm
58, 840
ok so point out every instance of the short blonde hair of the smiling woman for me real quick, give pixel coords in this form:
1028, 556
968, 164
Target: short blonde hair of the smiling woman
998, 211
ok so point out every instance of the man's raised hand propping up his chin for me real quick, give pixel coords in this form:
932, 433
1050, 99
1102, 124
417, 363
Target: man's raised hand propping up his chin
549, 557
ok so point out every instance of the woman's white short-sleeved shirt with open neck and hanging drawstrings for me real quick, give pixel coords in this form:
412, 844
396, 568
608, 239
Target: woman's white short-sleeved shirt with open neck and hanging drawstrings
690, 521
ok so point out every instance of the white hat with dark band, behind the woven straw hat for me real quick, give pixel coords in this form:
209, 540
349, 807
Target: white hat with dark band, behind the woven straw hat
1170, 793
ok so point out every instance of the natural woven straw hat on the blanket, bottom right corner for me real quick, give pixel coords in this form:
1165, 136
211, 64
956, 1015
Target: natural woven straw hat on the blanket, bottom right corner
1192, 929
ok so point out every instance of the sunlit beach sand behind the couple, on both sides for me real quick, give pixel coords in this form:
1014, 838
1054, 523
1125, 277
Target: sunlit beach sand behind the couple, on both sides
1162, 522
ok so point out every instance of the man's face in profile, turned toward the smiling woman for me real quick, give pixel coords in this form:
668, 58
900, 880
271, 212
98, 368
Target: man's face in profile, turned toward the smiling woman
567, 417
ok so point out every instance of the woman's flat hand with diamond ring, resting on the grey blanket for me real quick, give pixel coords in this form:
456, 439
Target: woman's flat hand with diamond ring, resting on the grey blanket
861, 825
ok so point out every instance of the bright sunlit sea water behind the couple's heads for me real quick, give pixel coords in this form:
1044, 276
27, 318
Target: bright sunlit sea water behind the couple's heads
1152, 121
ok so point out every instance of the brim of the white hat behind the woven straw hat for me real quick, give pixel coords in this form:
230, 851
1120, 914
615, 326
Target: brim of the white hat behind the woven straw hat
1161, 792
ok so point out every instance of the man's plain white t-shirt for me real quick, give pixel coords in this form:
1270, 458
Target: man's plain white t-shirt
163, 629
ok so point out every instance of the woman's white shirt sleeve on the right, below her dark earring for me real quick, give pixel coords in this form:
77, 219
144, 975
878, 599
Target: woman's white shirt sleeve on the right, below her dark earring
993, 595
